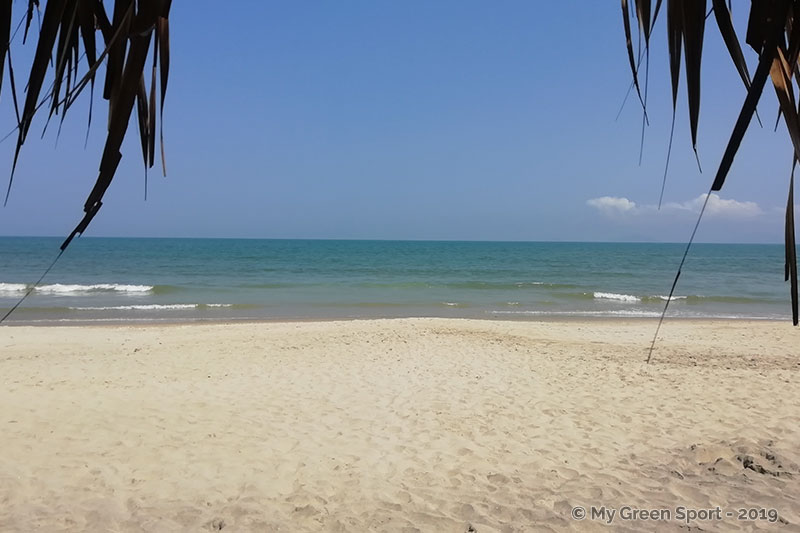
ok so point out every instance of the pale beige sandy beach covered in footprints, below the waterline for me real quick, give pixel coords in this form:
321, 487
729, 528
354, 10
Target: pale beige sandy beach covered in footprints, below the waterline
396, 425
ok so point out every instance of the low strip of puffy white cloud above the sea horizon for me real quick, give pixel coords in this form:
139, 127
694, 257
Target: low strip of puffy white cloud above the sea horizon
717, 207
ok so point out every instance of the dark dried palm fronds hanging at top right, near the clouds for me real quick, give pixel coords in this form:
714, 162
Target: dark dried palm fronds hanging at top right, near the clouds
775, 38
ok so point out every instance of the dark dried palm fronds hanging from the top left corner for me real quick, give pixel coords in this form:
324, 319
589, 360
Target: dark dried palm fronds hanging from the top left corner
68, 32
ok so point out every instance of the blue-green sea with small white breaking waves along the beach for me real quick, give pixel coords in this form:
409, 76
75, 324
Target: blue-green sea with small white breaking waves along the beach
124, 280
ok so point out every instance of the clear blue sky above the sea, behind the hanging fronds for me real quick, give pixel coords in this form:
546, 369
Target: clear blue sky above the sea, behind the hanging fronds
454, 119
